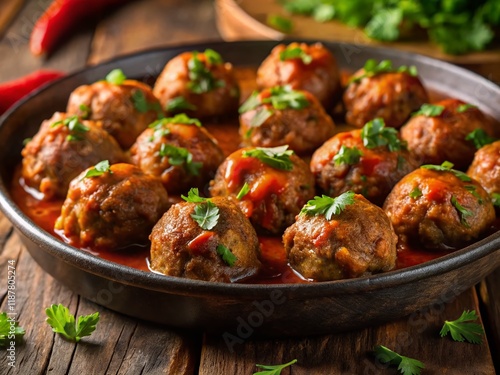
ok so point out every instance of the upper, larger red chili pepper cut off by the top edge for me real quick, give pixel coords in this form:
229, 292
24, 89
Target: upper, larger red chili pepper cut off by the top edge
59, 18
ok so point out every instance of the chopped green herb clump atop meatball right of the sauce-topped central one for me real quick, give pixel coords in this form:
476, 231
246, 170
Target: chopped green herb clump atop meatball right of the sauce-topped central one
376, 134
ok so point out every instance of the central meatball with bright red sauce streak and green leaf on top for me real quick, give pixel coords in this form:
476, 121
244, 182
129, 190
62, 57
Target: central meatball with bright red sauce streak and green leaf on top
267, 194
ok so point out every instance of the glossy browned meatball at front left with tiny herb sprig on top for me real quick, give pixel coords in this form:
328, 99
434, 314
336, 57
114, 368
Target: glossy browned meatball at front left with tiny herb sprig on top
112, 207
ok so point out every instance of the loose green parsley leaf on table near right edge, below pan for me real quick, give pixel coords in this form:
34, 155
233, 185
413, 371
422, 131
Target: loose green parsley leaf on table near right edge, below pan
463, 329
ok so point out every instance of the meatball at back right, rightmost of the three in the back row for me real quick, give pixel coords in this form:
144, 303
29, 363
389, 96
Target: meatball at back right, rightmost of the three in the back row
392, 96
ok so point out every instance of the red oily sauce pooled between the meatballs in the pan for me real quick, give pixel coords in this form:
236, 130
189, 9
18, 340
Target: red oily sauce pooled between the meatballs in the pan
275, 267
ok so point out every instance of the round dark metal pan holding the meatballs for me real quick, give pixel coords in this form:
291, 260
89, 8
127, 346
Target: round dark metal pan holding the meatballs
237, 310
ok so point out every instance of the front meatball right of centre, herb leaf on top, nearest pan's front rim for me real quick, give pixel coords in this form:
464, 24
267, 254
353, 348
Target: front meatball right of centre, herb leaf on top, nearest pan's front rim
357, 241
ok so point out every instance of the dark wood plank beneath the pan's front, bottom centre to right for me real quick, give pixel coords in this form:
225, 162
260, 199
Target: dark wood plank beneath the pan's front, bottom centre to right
416, 336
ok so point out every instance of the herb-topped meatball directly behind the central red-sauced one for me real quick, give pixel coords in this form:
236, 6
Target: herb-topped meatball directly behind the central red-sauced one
278, 116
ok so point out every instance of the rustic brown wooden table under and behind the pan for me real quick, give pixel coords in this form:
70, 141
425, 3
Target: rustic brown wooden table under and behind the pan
124, 345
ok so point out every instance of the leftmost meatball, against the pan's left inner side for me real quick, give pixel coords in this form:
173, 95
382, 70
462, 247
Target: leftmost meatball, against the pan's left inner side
63, 147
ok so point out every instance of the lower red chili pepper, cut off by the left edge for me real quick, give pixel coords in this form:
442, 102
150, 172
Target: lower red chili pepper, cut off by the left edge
12, 91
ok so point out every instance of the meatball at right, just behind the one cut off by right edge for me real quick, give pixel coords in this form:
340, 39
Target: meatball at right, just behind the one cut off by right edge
440, 137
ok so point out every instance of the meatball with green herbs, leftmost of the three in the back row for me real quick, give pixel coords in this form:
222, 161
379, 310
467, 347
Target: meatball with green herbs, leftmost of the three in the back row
200, 84
